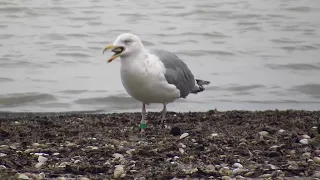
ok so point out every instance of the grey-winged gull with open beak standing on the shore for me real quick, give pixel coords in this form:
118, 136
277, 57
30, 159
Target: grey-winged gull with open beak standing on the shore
152, 76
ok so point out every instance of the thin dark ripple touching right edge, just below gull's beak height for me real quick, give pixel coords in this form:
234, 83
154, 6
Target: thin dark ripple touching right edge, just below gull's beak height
294, 66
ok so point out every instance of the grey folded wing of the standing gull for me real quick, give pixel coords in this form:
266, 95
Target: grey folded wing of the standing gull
177, 72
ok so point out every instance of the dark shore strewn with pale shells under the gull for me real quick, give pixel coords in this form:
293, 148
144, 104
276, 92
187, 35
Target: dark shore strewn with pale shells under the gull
195, 145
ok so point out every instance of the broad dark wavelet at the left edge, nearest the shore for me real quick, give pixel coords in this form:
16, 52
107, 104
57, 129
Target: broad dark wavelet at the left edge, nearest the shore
17, 99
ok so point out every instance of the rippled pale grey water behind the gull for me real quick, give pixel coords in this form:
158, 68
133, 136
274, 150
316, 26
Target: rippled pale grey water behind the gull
258, 54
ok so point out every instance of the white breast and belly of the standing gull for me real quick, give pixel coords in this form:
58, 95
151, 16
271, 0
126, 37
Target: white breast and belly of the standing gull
144, 80
